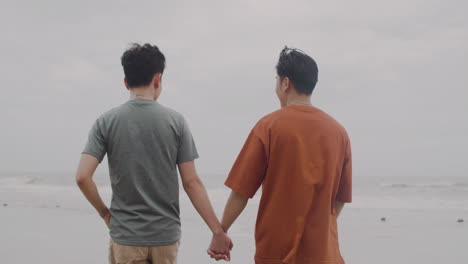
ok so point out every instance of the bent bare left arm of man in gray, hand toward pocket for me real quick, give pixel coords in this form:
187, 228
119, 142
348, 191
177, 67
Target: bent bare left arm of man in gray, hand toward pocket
84, 180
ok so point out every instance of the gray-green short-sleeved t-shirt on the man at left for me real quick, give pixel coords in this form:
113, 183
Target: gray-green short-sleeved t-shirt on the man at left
144, 142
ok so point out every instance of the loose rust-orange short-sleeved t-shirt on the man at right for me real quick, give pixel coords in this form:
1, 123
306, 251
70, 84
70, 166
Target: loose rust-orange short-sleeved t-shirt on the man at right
302, 158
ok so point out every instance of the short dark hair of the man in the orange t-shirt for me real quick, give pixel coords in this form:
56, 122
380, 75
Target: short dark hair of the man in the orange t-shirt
300, 68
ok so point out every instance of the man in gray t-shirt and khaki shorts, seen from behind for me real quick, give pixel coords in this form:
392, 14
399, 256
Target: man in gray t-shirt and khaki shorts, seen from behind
145, 143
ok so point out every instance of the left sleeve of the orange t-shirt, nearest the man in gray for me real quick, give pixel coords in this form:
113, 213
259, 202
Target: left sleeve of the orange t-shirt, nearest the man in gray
249, 170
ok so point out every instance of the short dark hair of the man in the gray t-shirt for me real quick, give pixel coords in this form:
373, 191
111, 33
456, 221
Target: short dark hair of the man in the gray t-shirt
141, 63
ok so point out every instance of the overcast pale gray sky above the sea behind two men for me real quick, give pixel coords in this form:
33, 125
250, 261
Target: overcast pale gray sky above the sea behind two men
394, 73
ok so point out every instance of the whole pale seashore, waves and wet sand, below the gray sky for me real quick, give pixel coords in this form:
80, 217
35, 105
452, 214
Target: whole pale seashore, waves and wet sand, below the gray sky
47, 220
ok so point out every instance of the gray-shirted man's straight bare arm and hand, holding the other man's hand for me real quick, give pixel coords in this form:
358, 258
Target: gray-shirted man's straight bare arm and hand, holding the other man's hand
196, 191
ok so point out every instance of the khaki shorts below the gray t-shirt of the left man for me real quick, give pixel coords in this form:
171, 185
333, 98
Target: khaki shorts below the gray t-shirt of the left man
121, 254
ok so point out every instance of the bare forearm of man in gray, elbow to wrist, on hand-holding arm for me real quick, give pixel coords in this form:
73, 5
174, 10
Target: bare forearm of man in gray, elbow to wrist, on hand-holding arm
200, 200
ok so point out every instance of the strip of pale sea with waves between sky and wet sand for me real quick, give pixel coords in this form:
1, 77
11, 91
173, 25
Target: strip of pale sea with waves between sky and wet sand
419, 193
